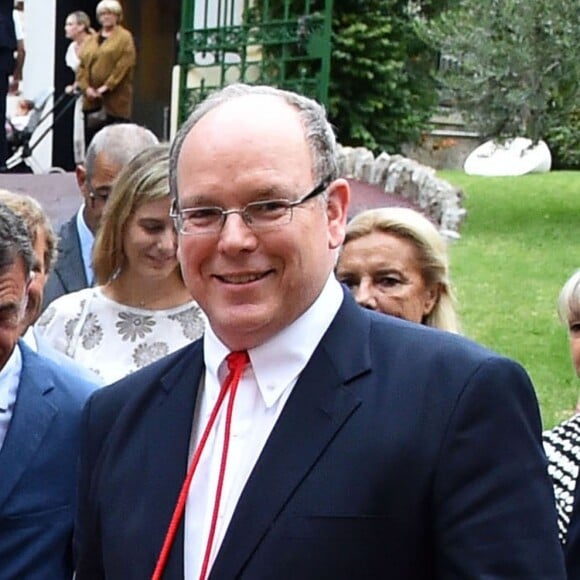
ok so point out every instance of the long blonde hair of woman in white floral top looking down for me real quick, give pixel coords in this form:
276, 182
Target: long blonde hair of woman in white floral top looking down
145, 178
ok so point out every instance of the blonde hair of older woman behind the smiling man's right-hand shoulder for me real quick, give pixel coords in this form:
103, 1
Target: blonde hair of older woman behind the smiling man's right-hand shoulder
432, 250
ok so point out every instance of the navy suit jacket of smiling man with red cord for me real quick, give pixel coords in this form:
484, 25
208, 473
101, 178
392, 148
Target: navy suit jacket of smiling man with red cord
402, 453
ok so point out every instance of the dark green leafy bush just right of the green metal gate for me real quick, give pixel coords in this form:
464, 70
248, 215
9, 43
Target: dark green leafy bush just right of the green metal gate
381, 92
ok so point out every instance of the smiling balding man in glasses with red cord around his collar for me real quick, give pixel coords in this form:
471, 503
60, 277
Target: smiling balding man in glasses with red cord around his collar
355, 445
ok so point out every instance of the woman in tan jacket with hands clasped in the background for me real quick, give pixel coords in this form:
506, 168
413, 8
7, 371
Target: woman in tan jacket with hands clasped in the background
105, 73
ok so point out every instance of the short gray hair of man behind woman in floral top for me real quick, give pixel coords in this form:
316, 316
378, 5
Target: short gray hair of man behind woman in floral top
120, 142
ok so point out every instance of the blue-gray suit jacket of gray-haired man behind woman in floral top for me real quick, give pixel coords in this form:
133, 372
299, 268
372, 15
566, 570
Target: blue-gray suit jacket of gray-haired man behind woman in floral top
68, 274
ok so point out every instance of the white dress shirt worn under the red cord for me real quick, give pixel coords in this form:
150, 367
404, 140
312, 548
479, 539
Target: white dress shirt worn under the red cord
262, 393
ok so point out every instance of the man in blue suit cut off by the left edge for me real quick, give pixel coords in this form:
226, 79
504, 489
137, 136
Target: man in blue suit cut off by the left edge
40, 409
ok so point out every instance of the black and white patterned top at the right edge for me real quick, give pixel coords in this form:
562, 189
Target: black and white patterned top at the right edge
562, 446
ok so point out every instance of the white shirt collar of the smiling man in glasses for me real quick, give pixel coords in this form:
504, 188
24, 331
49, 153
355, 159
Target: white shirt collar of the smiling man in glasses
277, 363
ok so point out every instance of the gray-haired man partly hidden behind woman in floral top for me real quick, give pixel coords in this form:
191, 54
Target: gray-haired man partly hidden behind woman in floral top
110, 150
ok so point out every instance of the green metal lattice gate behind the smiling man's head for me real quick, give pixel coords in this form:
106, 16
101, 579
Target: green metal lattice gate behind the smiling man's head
282, 43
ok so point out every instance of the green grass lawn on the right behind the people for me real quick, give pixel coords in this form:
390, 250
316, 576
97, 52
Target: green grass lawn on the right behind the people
518, 246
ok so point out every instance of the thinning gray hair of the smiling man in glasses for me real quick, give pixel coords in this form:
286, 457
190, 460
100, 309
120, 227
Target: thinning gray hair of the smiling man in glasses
317, 130
